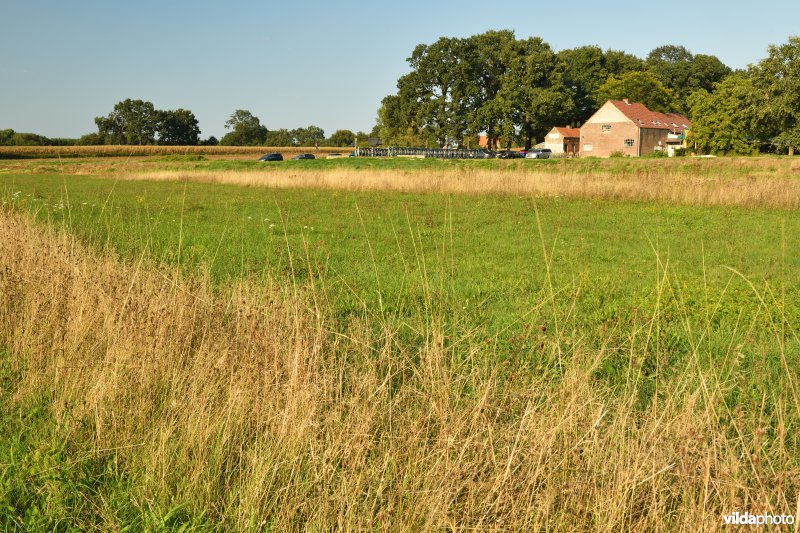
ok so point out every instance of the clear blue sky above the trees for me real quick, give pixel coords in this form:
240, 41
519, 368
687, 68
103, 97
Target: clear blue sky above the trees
301, 63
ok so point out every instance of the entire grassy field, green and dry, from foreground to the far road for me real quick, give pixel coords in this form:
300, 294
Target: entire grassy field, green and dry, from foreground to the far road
663, 321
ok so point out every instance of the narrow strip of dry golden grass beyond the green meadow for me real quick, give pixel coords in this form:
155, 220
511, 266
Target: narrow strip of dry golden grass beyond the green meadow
673, 185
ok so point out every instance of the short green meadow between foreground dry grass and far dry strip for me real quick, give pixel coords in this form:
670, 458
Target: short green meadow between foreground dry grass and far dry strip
496, 264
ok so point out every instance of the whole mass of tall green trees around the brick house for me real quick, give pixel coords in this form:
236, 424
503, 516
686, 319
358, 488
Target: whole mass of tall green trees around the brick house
515, 90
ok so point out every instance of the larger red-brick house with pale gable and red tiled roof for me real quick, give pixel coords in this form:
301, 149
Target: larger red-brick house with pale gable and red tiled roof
631, 129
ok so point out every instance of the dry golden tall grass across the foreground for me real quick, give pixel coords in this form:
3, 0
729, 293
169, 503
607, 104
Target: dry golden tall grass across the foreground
246, 405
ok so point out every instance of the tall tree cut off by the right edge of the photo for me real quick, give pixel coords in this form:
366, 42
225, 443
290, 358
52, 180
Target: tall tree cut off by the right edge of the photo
778, 78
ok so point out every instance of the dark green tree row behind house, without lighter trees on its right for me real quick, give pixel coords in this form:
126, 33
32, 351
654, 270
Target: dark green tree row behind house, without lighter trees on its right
517, 89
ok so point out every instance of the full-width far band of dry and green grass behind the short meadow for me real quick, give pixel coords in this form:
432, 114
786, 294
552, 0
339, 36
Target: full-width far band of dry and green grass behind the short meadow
747, 182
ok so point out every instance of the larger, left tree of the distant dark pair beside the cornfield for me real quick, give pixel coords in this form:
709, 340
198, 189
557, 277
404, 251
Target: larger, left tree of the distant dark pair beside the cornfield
131, 122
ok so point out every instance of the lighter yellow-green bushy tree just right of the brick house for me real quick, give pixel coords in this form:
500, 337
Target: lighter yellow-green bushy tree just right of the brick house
725, 121
